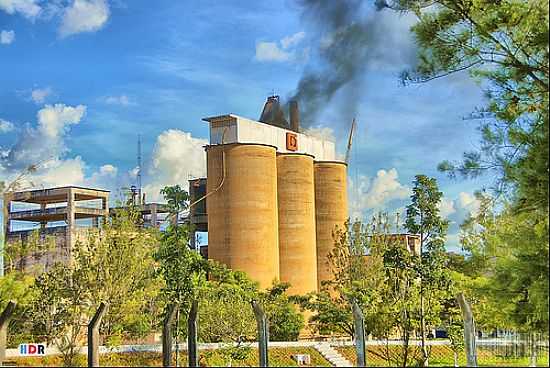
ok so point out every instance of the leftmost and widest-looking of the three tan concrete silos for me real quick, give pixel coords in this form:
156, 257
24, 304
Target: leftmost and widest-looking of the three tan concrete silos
242, 213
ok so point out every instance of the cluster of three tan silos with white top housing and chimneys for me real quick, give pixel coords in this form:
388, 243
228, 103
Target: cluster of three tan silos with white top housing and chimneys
274, 197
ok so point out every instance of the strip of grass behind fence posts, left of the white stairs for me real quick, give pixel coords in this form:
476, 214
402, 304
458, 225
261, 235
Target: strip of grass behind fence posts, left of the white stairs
278, 357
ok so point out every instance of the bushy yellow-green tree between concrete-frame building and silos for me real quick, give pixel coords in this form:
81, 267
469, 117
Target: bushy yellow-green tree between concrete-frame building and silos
119, 269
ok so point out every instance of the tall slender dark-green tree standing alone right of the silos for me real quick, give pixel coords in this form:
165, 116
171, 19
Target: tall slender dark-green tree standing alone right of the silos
423, 218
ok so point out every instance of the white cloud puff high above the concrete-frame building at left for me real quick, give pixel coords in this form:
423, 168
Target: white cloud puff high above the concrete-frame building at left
52, 120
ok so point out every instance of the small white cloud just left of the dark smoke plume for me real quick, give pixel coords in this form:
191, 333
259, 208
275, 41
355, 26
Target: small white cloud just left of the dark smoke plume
283, 50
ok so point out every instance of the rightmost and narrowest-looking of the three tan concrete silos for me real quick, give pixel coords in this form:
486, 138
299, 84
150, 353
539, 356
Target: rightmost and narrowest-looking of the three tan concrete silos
331, 210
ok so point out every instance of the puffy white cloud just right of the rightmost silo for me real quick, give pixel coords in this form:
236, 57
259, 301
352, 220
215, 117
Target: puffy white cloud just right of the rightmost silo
370, 195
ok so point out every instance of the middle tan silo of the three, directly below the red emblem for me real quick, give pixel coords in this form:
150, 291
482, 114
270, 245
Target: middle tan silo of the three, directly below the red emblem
296, 200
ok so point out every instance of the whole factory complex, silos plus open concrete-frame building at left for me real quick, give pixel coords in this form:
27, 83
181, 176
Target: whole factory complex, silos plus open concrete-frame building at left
271, 201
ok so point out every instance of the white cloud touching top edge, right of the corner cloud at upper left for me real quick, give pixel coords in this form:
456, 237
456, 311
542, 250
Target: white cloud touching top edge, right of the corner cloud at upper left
84, 16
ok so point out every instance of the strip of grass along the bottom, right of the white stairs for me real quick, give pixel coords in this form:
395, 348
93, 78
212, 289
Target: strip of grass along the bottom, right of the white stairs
441, 356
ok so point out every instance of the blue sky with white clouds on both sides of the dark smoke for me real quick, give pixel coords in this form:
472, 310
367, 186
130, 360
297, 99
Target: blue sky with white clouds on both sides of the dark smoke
79, 80
